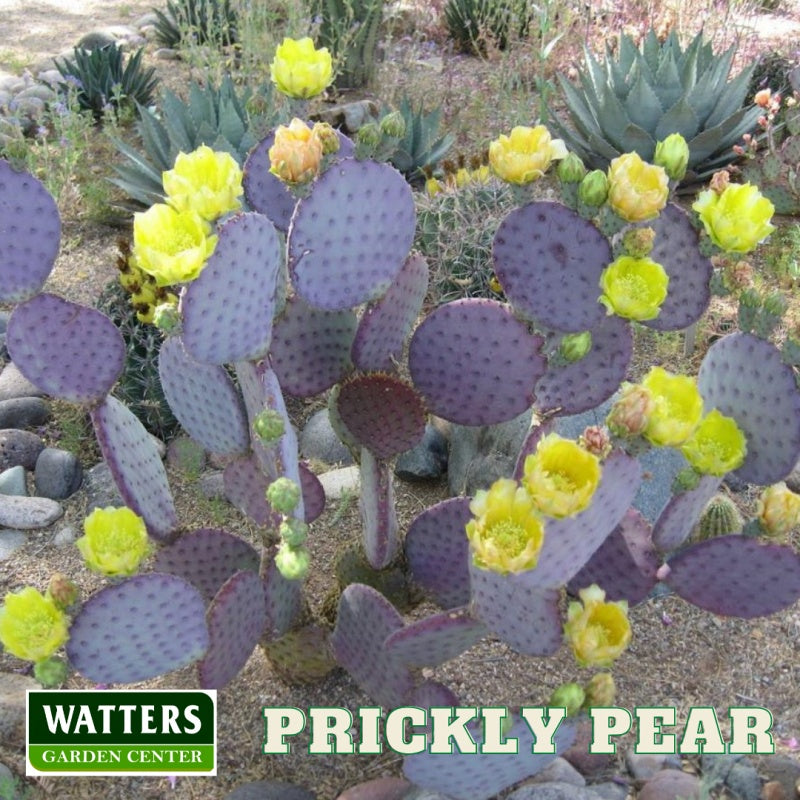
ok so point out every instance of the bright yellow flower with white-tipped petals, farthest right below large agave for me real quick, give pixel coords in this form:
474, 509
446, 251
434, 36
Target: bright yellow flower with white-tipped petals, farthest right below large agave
736, 219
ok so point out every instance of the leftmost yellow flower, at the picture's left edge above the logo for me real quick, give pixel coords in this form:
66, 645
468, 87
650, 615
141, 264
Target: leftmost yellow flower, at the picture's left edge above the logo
32, 627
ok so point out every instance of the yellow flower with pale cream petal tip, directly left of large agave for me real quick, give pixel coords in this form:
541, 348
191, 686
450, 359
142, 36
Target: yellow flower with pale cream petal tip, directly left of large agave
525, 155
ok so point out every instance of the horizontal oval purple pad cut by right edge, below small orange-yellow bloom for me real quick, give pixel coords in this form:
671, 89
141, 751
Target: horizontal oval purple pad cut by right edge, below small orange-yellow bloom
752, 579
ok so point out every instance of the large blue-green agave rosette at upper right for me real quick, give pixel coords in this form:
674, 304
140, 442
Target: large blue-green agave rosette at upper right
630, 102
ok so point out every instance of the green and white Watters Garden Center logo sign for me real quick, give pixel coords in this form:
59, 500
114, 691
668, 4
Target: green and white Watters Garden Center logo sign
122, 732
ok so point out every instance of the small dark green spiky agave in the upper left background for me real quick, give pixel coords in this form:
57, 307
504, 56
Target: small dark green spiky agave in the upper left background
103, 79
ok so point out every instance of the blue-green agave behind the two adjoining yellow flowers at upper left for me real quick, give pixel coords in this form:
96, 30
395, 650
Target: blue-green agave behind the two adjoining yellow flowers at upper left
216, 117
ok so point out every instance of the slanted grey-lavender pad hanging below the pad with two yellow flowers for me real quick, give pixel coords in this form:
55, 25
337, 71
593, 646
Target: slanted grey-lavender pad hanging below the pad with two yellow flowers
204, 400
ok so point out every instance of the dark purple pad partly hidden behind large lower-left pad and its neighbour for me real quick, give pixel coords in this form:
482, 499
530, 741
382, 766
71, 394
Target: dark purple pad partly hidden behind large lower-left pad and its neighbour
207, 557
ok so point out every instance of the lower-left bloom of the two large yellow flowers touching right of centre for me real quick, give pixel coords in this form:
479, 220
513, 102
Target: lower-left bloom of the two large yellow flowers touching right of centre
506, 533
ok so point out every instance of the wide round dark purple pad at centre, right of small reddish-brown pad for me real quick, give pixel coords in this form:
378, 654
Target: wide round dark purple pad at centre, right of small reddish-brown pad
474, 363
